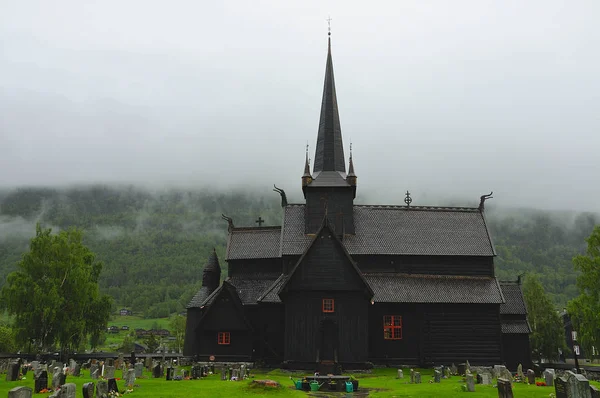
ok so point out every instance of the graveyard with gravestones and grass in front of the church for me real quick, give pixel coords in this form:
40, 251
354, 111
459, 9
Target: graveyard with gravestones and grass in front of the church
380, 382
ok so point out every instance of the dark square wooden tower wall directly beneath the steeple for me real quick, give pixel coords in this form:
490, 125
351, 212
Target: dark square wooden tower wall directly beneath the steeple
340, 209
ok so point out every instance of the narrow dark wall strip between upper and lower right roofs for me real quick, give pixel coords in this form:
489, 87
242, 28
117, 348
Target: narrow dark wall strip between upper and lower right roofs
428, 265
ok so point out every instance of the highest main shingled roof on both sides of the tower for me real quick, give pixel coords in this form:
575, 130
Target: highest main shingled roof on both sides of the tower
400, 230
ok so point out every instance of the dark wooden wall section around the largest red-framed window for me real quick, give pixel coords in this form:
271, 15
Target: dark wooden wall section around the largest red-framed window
404, 351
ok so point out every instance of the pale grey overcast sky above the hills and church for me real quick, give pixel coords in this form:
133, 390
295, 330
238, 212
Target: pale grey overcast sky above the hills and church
448, 99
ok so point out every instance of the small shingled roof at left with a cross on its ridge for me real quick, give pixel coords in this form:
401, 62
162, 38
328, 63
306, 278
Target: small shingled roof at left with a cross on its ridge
246, 243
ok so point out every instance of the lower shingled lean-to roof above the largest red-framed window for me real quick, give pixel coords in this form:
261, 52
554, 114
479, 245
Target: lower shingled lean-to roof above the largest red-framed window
407, 288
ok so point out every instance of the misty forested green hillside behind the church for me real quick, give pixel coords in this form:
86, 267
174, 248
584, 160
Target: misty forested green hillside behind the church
154, 244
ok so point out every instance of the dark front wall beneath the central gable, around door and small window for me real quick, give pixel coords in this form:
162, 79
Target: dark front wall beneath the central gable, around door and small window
304, 319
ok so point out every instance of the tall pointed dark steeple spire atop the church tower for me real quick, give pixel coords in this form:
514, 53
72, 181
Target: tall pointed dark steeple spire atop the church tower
329, 155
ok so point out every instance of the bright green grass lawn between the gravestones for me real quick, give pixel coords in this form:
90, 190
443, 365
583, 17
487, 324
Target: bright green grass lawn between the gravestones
379, 383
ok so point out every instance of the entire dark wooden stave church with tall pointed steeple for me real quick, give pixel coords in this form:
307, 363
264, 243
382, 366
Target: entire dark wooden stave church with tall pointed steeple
355, 285
